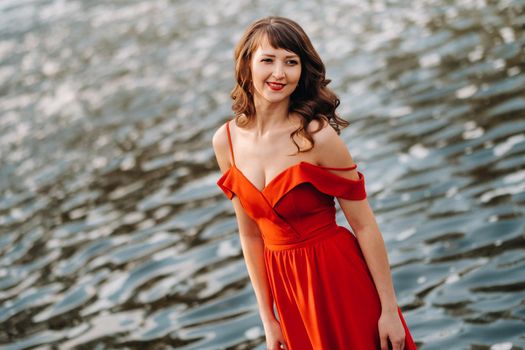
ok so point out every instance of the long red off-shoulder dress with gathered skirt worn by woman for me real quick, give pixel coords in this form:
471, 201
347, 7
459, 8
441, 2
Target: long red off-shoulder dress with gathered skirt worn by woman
323, 290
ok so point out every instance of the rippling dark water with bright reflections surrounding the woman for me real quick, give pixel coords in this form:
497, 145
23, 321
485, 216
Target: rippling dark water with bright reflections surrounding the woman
114, 235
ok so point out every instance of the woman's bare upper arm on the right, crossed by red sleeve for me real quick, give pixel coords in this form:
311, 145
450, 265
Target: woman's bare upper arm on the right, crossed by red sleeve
333, 152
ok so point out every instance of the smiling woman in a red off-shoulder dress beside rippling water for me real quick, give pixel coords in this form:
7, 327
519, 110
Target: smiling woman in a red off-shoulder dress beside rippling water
283, 163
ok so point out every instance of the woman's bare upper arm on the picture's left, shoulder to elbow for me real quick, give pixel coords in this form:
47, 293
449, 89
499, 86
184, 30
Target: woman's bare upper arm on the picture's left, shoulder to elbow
221, 149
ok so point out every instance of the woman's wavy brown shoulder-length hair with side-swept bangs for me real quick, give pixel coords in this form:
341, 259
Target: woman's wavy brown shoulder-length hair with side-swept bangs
312, 99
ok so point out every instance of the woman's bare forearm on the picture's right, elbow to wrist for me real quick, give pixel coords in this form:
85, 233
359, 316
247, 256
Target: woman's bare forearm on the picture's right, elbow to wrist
374, 250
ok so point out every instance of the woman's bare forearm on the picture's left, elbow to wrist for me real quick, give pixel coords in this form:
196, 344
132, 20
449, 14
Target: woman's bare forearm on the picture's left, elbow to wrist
252, 246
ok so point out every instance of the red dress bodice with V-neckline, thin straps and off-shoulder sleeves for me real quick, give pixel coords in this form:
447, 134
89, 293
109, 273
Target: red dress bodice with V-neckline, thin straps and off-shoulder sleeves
297, 203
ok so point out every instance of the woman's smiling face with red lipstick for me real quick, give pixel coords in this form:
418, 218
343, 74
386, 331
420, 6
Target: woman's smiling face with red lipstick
275, 73
